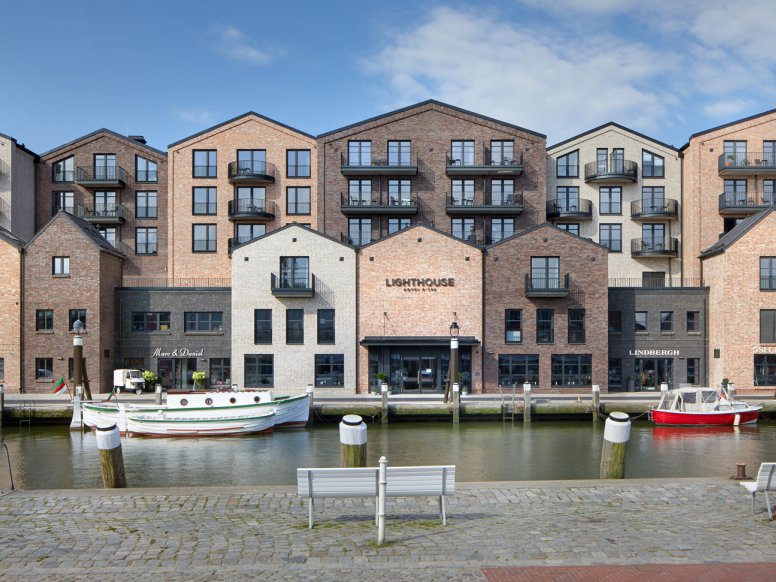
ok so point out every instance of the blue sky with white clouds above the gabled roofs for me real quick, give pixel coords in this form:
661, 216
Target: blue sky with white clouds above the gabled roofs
165, 70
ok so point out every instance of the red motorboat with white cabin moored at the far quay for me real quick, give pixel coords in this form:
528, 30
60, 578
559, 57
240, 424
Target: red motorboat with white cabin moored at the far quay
702, 406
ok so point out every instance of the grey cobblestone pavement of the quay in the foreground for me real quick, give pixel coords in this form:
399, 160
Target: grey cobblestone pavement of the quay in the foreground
257, 533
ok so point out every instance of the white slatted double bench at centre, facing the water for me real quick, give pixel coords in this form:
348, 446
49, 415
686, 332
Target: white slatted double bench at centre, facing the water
432, 481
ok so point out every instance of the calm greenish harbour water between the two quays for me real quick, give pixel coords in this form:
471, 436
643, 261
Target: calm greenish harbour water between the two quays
56, 458
